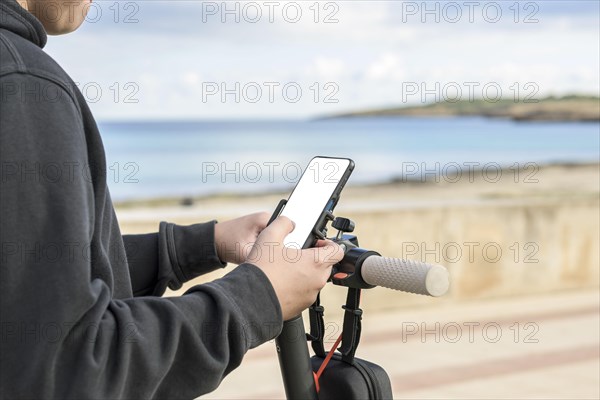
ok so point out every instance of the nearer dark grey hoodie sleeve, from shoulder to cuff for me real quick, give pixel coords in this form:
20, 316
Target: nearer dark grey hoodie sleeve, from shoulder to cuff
63, 333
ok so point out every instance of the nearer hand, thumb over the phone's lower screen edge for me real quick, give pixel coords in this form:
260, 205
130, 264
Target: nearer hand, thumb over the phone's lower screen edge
296, 275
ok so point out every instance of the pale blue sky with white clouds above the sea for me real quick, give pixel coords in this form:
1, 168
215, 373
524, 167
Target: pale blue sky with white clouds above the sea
171, 60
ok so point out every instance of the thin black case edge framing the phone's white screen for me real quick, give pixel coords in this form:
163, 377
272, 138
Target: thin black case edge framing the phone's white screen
319, 230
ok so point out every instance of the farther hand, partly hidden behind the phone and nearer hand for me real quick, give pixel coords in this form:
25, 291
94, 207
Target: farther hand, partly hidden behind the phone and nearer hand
234, 239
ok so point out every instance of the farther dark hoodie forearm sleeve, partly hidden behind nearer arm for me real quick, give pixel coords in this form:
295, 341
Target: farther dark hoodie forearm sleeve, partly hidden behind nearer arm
171, 257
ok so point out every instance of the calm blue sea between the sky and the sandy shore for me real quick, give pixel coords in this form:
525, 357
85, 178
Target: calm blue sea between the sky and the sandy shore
174, 159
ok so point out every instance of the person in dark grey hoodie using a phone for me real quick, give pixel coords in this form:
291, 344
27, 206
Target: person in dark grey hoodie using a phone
81, 311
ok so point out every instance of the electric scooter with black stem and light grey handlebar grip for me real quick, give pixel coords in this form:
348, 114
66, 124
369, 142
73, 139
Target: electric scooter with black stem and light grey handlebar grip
359, 269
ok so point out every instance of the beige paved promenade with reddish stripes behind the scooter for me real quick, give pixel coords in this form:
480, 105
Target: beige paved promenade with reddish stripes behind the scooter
529, 347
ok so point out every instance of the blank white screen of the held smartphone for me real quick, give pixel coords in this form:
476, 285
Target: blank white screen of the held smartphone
309, 198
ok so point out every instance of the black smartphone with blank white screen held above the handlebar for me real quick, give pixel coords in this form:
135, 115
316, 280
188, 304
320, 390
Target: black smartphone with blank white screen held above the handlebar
317, 191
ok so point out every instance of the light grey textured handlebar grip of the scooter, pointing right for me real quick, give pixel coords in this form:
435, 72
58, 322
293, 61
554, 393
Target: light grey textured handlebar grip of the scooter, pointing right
406, 275
